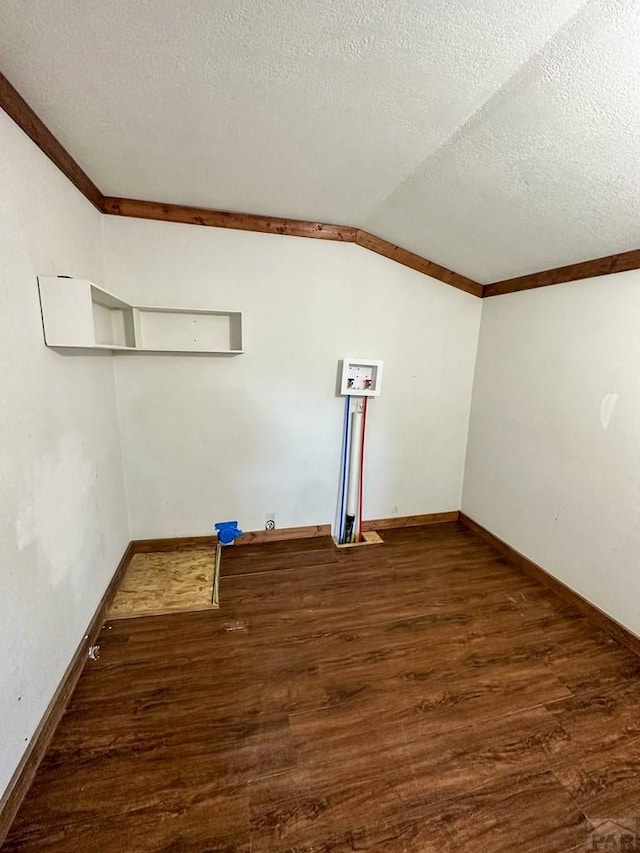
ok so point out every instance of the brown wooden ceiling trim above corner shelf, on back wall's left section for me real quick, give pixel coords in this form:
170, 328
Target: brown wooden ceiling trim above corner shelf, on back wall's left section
226, 219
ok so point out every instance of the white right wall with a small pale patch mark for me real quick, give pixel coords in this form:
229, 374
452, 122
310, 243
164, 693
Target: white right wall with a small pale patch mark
553, 463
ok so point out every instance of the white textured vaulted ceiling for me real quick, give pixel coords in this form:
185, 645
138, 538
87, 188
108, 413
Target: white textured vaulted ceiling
496, 137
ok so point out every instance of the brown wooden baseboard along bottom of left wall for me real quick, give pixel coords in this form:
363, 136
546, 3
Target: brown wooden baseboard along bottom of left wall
26, 770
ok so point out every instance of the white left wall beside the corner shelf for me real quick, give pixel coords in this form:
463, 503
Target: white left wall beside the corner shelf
63, 523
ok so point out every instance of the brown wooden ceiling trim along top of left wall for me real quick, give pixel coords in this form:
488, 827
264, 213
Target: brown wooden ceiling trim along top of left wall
19, 110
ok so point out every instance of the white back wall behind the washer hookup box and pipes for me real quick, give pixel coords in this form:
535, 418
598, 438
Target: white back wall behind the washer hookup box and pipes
211, 438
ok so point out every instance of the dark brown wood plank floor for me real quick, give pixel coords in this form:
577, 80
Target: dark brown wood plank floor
420, 696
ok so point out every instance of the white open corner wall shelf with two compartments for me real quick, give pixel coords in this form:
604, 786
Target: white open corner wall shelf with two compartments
79, 315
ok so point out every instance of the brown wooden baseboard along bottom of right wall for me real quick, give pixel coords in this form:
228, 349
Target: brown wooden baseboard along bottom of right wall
623, 635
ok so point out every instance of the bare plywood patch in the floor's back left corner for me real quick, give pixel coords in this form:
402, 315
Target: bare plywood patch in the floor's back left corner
165, 582
